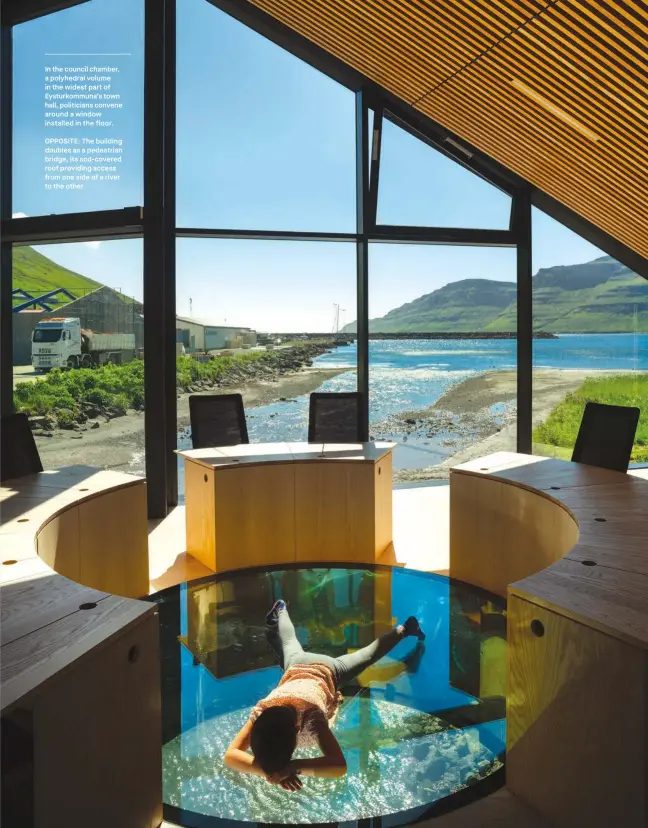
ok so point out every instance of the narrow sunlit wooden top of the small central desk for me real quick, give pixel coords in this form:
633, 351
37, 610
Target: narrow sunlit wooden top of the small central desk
260, 453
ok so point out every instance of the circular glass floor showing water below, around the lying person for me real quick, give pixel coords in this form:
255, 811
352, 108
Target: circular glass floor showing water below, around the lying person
423, 730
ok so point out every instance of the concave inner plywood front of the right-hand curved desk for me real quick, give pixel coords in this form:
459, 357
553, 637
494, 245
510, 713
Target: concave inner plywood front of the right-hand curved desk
501, 533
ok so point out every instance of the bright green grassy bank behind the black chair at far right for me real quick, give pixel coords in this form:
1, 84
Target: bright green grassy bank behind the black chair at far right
558, 433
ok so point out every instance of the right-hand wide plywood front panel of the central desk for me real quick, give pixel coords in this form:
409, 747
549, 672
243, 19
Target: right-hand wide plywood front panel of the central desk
335, 511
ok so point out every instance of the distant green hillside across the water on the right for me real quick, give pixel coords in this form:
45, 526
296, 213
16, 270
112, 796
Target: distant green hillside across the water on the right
595, 297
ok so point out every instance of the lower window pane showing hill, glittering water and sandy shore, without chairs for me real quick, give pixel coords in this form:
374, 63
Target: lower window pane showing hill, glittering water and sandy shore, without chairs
442, 354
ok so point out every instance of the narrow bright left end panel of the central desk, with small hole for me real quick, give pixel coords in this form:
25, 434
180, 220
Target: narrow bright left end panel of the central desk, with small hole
199, 499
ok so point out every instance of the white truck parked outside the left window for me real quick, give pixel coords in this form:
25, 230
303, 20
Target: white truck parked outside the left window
63, 343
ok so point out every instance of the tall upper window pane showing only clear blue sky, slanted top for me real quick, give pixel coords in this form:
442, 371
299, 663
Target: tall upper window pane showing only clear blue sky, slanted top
264, 141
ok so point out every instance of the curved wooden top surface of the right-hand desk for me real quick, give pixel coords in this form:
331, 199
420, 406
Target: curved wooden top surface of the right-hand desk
603, 580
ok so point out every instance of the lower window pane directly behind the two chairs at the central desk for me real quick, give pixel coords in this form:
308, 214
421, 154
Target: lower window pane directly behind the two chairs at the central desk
262, 318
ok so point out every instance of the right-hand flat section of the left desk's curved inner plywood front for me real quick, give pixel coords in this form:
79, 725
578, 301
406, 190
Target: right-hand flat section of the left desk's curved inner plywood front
113, 542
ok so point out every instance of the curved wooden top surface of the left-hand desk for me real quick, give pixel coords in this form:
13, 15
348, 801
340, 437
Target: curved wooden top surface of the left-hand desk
43, 628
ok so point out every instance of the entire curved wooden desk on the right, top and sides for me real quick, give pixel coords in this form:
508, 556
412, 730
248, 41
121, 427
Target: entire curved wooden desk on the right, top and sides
568, 544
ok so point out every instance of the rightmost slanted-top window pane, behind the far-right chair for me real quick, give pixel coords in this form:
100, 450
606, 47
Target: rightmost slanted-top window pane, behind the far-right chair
596, 312
